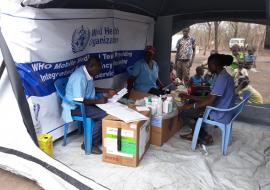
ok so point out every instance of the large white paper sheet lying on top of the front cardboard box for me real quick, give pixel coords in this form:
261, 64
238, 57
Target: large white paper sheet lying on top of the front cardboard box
122, 112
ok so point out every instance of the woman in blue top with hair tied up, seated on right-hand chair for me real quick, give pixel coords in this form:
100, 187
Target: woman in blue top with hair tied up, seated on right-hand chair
222, 96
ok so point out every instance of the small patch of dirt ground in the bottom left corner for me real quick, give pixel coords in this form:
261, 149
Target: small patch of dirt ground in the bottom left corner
11, 181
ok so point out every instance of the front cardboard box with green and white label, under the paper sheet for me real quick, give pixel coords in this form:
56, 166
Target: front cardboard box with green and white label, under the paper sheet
125, 143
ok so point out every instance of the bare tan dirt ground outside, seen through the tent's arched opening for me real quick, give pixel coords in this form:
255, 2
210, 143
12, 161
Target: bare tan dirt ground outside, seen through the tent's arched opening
259, 80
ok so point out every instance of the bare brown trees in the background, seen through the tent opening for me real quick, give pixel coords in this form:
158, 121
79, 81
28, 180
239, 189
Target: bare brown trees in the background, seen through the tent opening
255, 35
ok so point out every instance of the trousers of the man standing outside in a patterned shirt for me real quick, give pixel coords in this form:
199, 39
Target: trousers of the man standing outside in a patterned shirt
182, 69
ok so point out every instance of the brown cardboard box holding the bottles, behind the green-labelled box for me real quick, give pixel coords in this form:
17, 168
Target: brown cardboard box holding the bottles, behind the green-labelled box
162, 127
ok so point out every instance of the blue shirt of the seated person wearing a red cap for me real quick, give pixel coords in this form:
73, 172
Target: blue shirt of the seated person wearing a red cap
145, 76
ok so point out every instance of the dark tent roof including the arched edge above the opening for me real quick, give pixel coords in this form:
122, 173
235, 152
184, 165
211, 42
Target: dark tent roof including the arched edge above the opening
184, 13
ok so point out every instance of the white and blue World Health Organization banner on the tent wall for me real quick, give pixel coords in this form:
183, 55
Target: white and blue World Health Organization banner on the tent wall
47, 44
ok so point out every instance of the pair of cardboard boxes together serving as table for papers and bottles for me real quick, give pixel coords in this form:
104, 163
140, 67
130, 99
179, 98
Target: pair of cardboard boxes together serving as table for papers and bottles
126, 143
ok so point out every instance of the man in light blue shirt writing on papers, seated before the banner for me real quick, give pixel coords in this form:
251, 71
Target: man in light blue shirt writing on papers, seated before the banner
81, 86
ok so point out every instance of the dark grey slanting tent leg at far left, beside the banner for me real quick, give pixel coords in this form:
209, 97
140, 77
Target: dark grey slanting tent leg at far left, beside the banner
17, 88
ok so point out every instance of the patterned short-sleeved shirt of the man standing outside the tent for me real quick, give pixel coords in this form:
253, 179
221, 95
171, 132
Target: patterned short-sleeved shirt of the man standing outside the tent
185, 48
